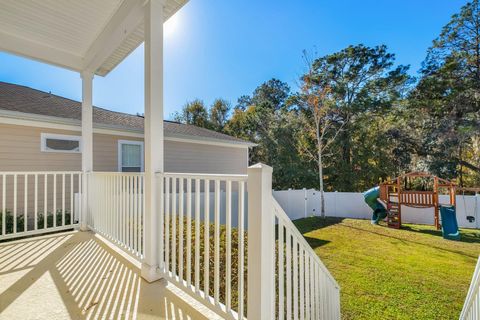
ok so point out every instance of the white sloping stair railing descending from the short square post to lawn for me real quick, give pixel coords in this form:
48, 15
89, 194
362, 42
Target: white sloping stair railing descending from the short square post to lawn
306, 289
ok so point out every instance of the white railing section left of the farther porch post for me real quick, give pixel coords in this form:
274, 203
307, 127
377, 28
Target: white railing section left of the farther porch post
38, 202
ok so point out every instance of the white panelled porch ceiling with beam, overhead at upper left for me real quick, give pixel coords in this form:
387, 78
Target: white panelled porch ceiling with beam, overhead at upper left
93, 35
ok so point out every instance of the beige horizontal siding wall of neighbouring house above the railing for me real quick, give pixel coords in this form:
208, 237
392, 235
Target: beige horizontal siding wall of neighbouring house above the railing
20, 151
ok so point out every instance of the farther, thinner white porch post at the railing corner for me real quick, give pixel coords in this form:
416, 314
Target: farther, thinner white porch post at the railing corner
87, 141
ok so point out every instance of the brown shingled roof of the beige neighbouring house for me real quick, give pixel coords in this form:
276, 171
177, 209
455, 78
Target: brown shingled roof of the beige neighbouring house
17, 98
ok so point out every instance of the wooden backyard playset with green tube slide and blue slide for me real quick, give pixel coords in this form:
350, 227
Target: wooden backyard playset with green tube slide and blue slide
418, 190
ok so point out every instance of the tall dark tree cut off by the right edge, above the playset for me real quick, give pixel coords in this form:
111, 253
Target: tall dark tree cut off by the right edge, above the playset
447, 97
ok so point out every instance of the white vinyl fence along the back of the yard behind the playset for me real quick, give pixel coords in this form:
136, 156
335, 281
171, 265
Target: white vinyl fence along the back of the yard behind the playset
304, 203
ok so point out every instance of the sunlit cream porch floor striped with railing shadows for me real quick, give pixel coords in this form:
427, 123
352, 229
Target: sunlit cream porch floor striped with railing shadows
76, 275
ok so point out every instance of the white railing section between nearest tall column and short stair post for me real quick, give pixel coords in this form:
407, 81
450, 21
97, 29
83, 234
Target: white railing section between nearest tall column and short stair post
198, 212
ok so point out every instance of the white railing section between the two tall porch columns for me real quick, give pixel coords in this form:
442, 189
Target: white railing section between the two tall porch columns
116, 208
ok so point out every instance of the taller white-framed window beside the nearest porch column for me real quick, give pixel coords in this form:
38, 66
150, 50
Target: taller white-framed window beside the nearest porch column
130, 156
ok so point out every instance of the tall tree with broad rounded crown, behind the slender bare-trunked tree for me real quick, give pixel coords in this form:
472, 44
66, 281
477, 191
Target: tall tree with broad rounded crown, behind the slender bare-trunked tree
360, 80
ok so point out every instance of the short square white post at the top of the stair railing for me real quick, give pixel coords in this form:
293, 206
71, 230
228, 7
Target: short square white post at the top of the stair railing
261, 243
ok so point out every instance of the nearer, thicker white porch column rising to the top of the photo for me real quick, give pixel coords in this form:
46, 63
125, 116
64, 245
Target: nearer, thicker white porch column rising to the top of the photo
153, 134
